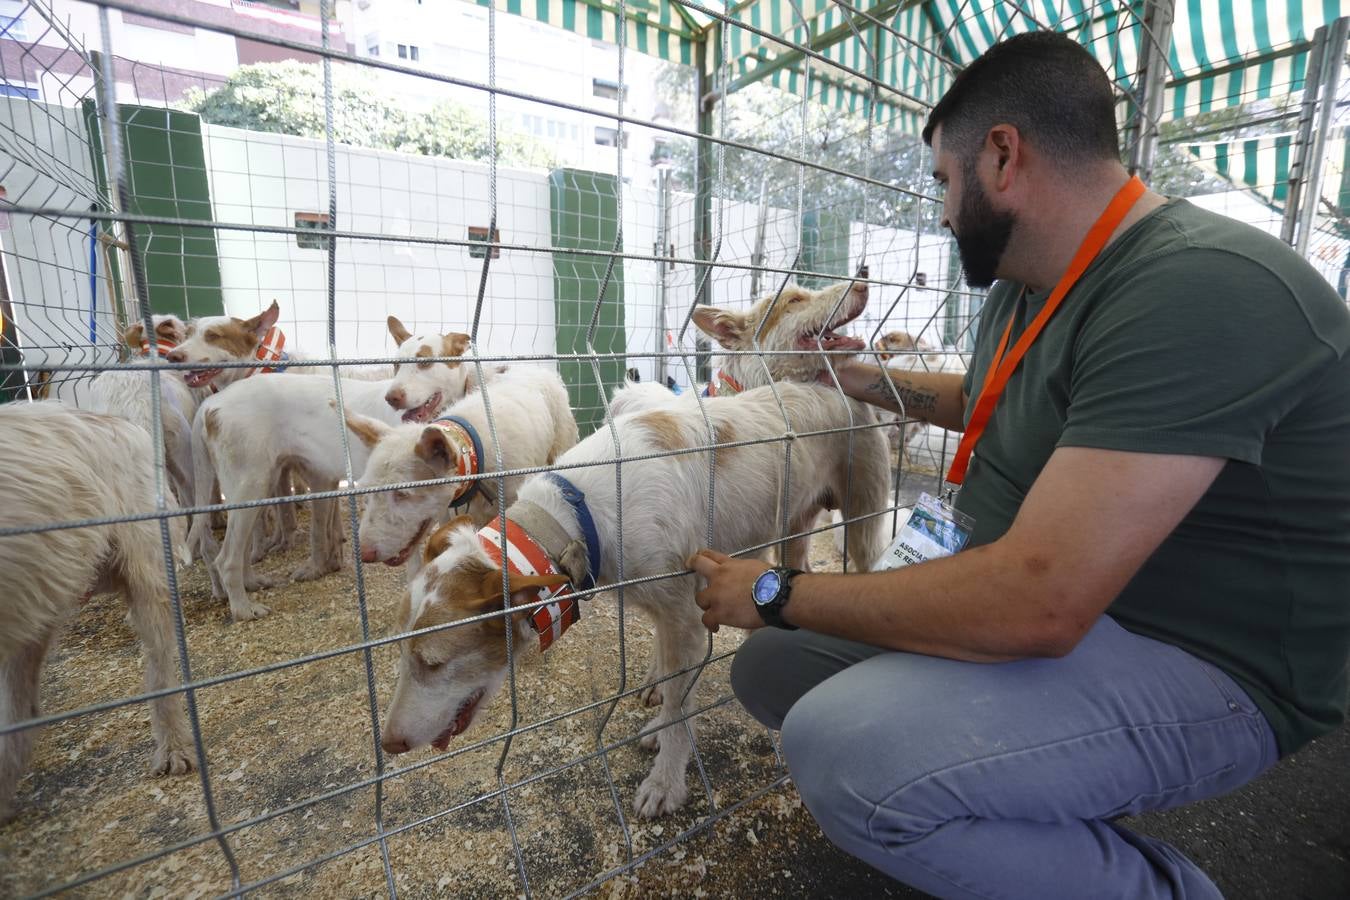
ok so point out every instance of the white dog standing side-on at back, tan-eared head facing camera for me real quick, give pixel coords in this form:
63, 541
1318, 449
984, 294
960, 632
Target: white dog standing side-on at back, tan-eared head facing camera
261, 424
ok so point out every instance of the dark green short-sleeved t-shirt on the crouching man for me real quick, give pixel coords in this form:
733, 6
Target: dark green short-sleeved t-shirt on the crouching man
1194, 334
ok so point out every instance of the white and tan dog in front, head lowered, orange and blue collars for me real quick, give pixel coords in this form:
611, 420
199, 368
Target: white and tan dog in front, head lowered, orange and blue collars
448, 677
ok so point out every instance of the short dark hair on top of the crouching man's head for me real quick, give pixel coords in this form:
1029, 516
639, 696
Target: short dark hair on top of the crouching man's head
1047, 86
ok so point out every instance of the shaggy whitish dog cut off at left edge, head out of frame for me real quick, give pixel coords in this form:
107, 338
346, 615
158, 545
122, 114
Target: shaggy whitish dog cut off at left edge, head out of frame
68, 465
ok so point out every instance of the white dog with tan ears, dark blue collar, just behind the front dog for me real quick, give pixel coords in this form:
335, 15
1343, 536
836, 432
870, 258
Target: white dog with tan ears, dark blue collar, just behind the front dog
531, 423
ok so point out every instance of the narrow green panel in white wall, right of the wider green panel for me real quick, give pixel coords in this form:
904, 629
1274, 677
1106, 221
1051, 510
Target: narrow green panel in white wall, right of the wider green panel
584, 208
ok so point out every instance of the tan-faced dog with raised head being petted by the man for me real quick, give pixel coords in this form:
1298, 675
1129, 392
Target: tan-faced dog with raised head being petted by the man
804, 320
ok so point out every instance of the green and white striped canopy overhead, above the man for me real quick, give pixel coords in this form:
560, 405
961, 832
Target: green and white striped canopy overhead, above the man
1220, 55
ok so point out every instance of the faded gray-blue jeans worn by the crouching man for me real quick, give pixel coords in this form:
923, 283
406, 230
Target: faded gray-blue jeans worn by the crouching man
1001, 781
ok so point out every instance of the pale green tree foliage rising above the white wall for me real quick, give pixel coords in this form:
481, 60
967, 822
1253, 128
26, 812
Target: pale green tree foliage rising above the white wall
288, 98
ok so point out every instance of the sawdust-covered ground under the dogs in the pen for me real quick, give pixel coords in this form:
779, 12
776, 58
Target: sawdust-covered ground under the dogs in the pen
279, 740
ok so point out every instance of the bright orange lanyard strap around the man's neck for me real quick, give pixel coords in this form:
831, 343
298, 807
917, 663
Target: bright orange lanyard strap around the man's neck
1001, 370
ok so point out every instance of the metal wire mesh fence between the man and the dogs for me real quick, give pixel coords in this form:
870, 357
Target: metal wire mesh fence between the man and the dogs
445, 169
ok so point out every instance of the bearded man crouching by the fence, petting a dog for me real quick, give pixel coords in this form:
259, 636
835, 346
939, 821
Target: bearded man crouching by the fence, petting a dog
1150, 604
